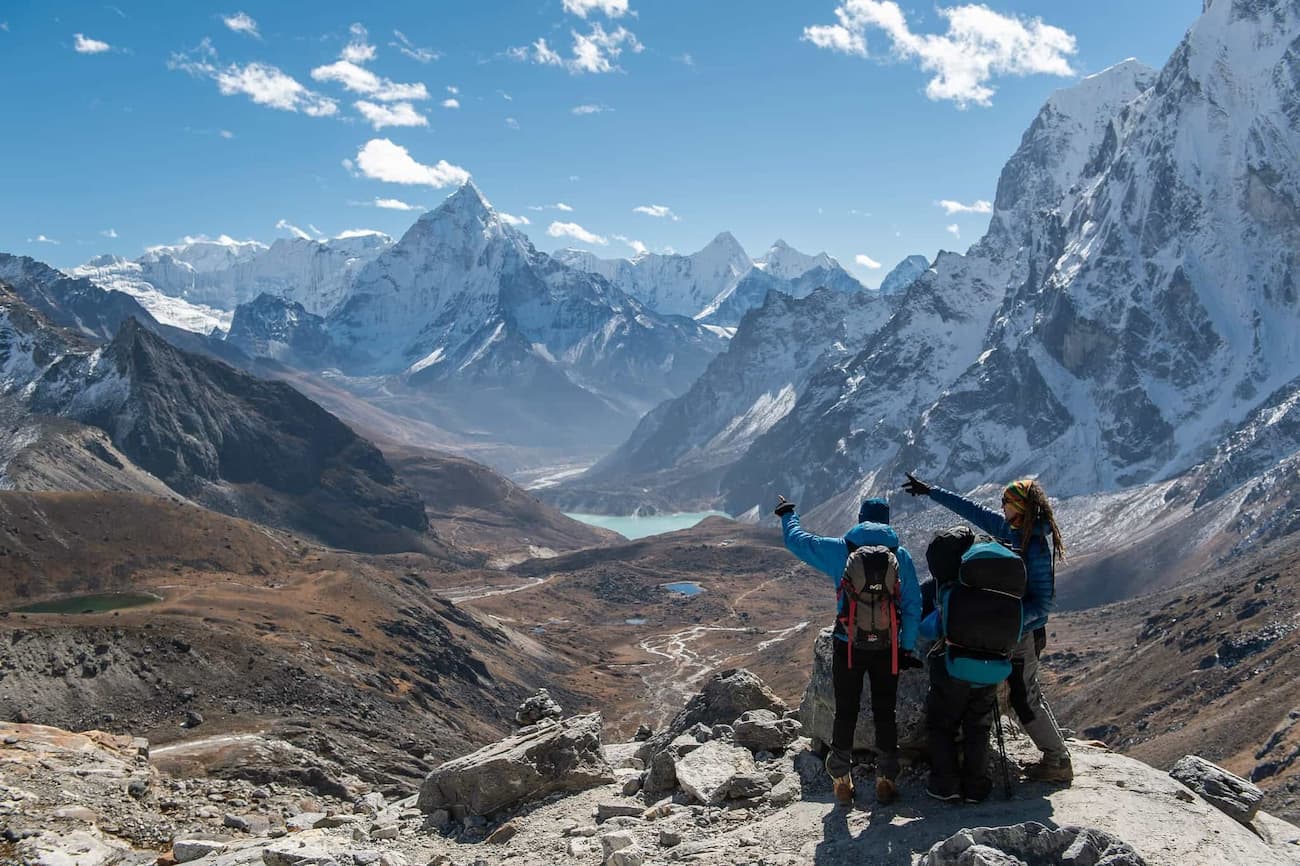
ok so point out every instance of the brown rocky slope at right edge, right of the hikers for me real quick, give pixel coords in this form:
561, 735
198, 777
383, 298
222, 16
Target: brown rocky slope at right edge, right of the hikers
1210, 669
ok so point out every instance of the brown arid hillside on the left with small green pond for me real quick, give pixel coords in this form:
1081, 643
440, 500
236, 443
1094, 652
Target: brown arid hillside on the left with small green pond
258, 631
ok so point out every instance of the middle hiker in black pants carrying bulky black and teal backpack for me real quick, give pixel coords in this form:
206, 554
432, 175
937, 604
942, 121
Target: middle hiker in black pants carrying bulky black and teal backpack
977, 627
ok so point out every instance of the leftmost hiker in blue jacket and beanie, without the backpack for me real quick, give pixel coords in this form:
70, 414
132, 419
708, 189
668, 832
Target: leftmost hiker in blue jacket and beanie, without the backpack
830, 556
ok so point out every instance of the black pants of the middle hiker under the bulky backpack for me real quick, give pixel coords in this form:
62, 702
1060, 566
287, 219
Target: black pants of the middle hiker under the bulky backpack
955, 707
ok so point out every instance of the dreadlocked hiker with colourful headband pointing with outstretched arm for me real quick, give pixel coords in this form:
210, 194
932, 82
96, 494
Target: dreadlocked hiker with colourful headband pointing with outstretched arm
1029, 526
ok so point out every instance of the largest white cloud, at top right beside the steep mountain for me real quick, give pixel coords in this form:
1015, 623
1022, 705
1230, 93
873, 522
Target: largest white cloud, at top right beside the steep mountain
980, 45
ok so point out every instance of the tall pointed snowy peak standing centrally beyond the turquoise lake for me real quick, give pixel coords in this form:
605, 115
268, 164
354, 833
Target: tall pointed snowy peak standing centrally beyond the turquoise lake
465, 302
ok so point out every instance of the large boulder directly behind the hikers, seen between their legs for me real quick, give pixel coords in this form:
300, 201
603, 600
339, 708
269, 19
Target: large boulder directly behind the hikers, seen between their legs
817, 709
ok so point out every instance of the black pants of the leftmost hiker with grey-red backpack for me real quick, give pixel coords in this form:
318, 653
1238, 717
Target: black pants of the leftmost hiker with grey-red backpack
878, 668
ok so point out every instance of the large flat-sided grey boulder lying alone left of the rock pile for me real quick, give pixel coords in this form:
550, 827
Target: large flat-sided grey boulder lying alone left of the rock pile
561, 757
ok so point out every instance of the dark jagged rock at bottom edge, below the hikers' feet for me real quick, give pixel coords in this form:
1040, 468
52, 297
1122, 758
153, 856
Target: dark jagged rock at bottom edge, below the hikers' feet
1032, 843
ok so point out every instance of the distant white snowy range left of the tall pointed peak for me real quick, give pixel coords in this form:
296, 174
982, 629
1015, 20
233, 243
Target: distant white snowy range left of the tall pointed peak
198, 284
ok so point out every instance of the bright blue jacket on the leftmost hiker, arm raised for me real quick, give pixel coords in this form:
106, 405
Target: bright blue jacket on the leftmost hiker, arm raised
830, 555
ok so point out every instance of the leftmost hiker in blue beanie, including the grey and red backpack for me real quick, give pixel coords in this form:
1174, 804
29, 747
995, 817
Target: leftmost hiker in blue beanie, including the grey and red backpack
878, 614
